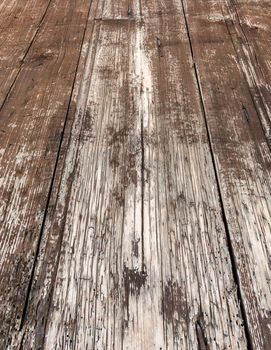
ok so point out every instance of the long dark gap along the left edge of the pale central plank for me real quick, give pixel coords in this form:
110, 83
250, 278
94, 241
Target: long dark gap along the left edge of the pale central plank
52, 183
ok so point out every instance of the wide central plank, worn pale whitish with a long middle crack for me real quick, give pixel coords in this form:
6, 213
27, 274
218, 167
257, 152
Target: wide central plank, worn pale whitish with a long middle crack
144, 262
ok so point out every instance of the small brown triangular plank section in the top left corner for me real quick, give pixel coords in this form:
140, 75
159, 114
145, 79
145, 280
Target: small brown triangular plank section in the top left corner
19, 24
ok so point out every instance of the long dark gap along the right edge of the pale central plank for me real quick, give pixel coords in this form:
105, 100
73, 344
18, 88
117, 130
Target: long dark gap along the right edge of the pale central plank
229, 243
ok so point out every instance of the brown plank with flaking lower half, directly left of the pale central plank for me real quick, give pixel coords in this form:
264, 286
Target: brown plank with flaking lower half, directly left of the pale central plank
31, 122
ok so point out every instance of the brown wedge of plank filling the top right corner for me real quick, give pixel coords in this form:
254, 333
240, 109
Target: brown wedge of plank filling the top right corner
249, 24
